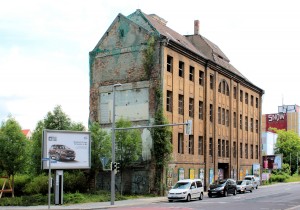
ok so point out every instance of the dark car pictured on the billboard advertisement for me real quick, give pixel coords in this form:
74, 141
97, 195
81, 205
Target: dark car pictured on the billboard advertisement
61, 152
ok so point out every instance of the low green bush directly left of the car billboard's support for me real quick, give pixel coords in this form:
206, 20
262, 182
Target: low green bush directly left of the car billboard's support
38, 185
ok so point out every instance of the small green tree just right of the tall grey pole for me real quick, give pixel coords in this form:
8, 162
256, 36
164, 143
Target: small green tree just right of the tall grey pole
128, 145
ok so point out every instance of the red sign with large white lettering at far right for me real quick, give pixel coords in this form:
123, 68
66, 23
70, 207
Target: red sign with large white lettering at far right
278, 121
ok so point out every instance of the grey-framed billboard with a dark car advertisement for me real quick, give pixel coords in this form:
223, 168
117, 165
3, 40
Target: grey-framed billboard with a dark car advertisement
66, 149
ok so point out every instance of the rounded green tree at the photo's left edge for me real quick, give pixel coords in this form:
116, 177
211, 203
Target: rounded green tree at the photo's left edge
12, 144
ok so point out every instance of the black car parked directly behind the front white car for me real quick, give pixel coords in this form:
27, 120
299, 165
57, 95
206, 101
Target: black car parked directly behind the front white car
222, 187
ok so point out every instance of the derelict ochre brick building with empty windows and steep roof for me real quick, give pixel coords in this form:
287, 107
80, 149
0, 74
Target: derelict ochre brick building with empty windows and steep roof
198, 83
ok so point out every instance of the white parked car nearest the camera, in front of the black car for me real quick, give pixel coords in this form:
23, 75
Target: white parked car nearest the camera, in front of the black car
186, 189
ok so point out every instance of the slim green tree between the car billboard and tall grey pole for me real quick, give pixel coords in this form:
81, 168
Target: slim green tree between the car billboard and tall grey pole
101, 147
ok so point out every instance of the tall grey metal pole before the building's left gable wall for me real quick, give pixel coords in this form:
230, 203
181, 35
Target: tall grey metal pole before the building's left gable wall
112, 187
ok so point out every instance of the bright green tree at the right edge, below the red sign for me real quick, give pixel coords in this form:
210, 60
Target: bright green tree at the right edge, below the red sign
288, 144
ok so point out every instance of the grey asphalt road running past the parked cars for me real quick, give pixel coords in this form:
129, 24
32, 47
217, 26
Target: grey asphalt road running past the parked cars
285, 196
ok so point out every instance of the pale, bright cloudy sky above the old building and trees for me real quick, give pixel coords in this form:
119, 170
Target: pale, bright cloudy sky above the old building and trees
45, 45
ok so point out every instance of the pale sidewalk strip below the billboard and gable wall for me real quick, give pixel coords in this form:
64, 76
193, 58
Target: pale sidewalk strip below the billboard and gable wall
97, 205
